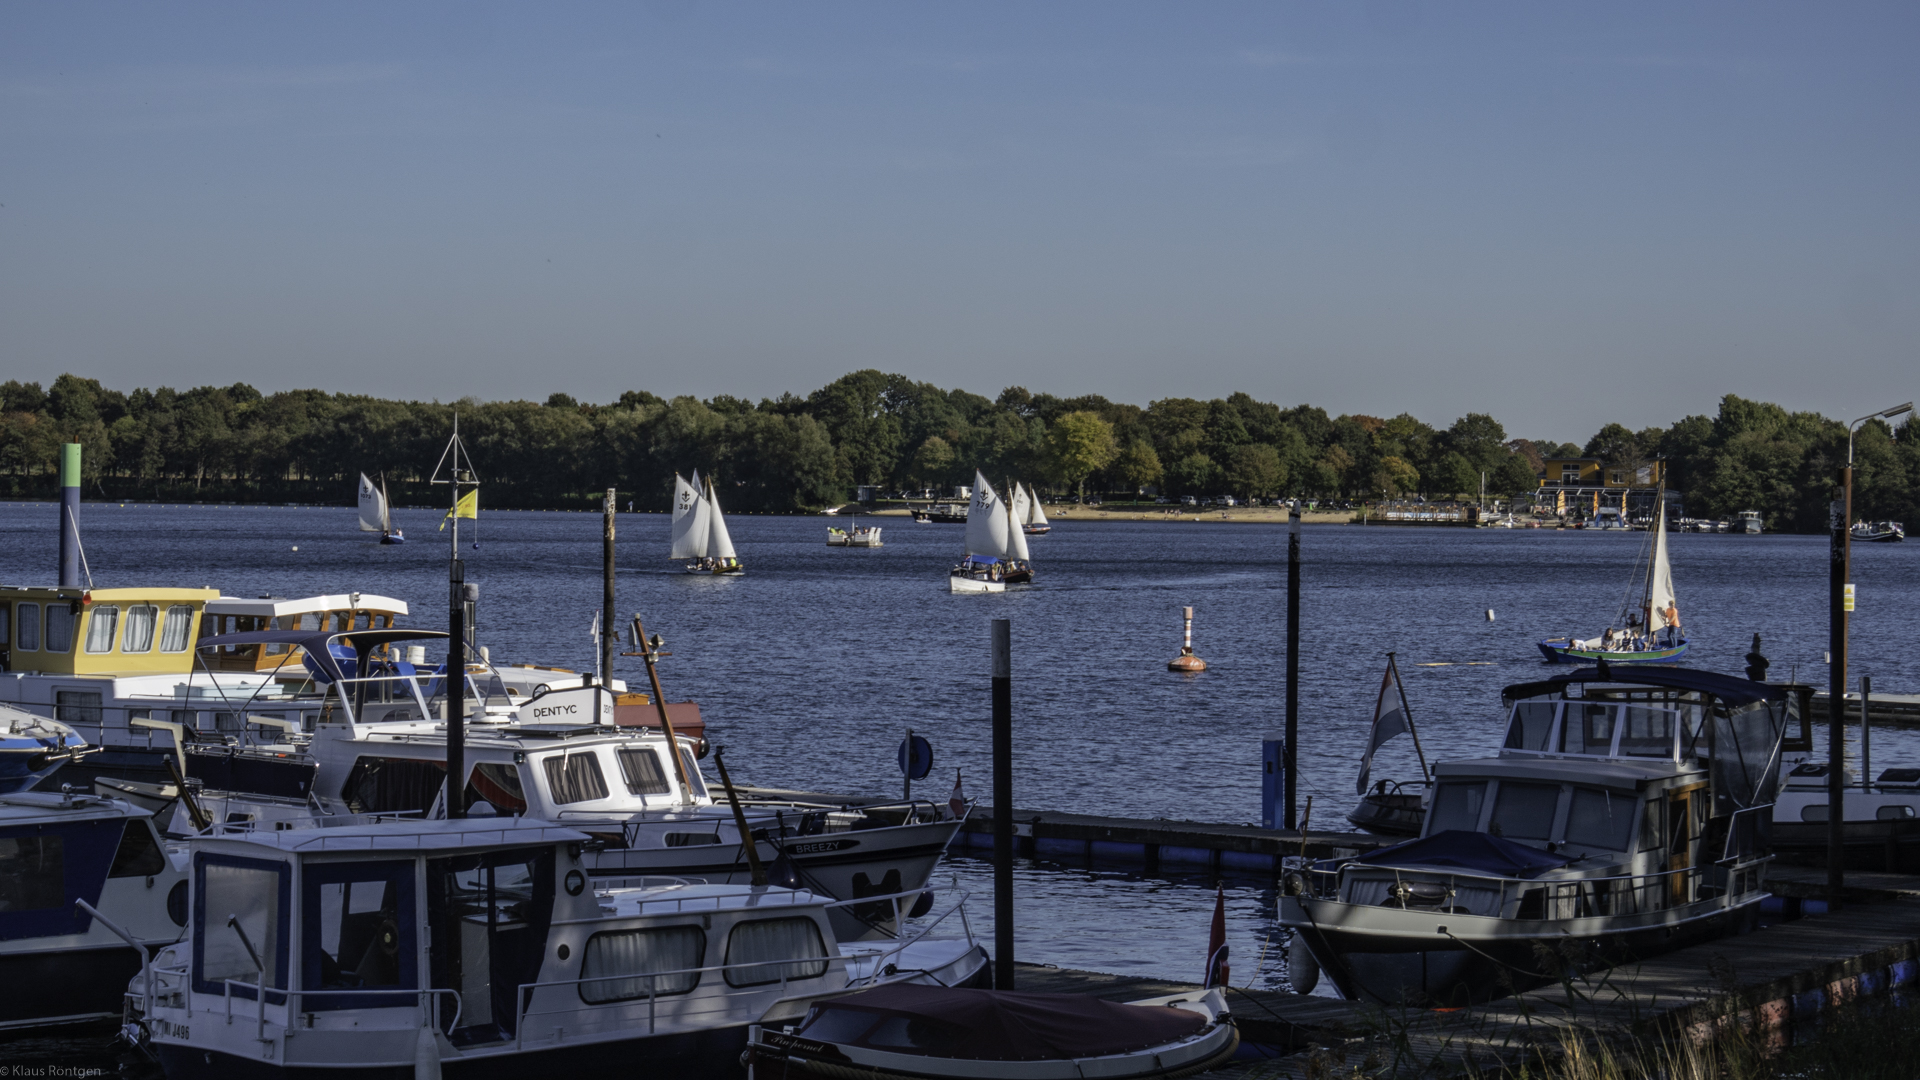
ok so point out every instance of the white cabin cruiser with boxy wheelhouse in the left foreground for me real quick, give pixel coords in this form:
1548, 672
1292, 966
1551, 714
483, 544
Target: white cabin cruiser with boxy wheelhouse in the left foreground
485, 948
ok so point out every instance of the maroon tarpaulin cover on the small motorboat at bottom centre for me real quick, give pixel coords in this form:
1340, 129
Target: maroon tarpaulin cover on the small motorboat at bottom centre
997, 1025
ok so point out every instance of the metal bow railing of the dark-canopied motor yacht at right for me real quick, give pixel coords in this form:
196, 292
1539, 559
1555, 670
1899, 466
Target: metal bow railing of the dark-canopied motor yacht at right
1535, 898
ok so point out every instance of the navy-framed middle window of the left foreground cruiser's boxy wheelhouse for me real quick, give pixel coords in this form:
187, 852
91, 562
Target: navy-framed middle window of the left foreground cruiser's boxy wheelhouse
358, 933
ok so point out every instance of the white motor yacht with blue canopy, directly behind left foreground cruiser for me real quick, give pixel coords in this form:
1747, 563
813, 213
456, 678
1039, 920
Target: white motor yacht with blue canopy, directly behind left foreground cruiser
562, 756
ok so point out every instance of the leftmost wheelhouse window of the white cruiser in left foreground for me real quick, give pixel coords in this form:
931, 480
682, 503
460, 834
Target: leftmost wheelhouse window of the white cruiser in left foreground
254, 896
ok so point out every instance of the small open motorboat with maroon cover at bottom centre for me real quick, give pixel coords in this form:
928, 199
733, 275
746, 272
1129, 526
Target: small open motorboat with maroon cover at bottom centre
936, 1031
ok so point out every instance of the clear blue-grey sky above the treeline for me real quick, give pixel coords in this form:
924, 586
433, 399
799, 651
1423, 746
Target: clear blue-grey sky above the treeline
1560, 214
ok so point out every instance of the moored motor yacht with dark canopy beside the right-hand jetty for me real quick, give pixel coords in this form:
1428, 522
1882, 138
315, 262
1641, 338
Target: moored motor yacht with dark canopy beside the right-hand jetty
1625, 816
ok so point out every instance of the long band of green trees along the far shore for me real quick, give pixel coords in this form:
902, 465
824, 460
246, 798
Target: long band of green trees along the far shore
790, 453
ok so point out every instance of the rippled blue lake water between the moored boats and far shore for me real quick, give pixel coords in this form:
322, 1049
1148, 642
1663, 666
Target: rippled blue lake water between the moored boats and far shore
811, 668
